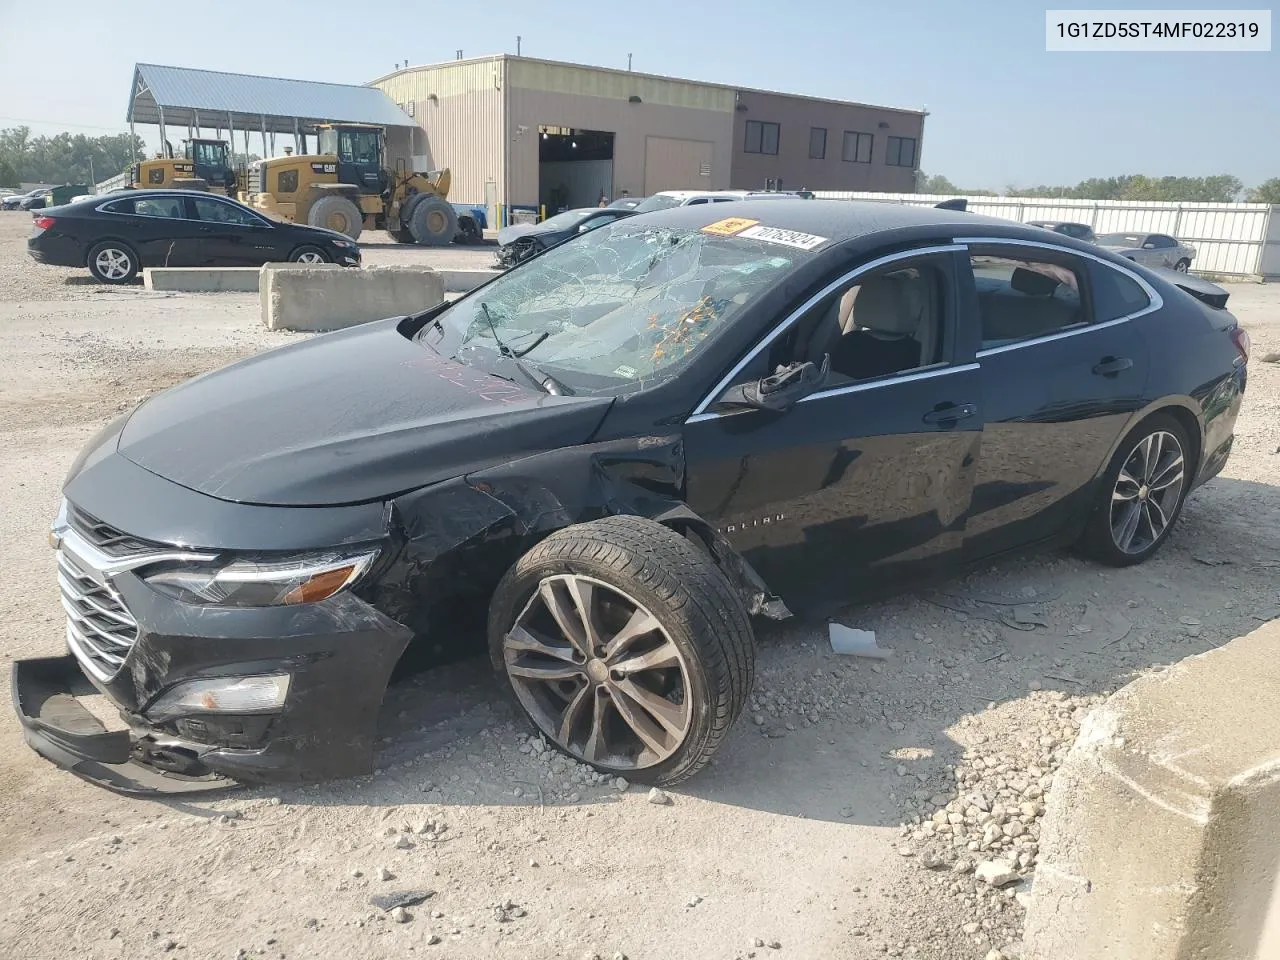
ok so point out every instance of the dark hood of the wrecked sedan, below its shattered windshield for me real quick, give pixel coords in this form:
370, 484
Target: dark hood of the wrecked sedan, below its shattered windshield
346, 418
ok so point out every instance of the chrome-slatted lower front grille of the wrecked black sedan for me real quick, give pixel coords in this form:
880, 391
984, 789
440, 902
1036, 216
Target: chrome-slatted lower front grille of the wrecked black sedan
100, 630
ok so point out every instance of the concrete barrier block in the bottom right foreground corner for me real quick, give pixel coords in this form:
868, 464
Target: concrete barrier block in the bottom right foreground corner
1163, 834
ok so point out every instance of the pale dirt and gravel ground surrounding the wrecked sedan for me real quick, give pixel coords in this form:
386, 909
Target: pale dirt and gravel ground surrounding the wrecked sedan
792, 845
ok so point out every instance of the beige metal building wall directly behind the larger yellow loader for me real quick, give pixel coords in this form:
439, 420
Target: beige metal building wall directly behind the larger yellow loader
460, 108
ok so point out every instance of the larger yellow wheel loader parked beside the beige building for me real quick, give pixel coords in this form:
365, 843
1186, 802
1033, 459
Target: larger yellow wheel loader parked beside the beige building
346, 188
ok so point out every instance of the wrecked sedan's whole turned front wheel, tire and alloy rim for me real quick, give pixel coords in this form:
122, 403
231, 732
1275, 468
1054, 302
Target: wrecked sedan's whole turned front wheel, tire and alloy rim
625, 646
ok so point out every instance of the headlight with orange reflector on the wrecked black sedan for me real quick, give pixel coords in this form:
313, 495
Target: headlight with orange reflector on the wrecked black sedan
263, 584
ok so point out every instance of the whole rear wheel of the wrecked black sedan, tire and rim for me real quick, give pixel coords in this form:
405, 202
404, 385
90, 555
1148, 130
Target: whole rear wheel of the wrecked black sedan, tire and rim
1141, 496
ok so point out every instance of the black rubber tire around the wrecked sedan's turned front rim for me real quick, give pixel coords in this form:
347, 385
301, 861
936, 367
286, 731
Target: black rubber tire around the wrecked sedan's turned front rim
683, 589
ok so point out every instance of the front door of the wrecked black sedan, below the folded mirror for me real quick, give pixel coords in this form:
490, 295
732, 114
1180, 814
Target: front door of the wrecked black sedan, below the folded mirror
870, 477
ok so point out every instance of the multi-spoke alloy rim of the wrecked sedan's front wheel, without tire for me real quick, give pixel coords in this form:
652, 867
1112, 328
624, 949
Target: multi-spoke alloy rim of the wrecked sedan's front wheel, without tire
598, 674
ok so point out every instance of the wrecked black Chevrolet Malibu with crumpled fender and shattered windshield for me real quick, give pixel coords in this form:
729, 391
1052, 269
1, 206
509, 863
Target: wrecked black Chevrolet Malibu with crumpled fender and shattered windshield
615, 456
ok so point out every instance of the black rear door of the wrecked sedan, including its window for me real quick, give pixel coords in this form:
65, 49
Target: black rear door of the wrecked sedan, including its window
1062, 372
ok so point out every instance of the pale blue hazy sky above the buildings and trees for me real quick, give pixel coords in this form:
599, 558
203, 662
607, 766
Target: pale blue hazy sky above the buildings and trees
1003, 112
